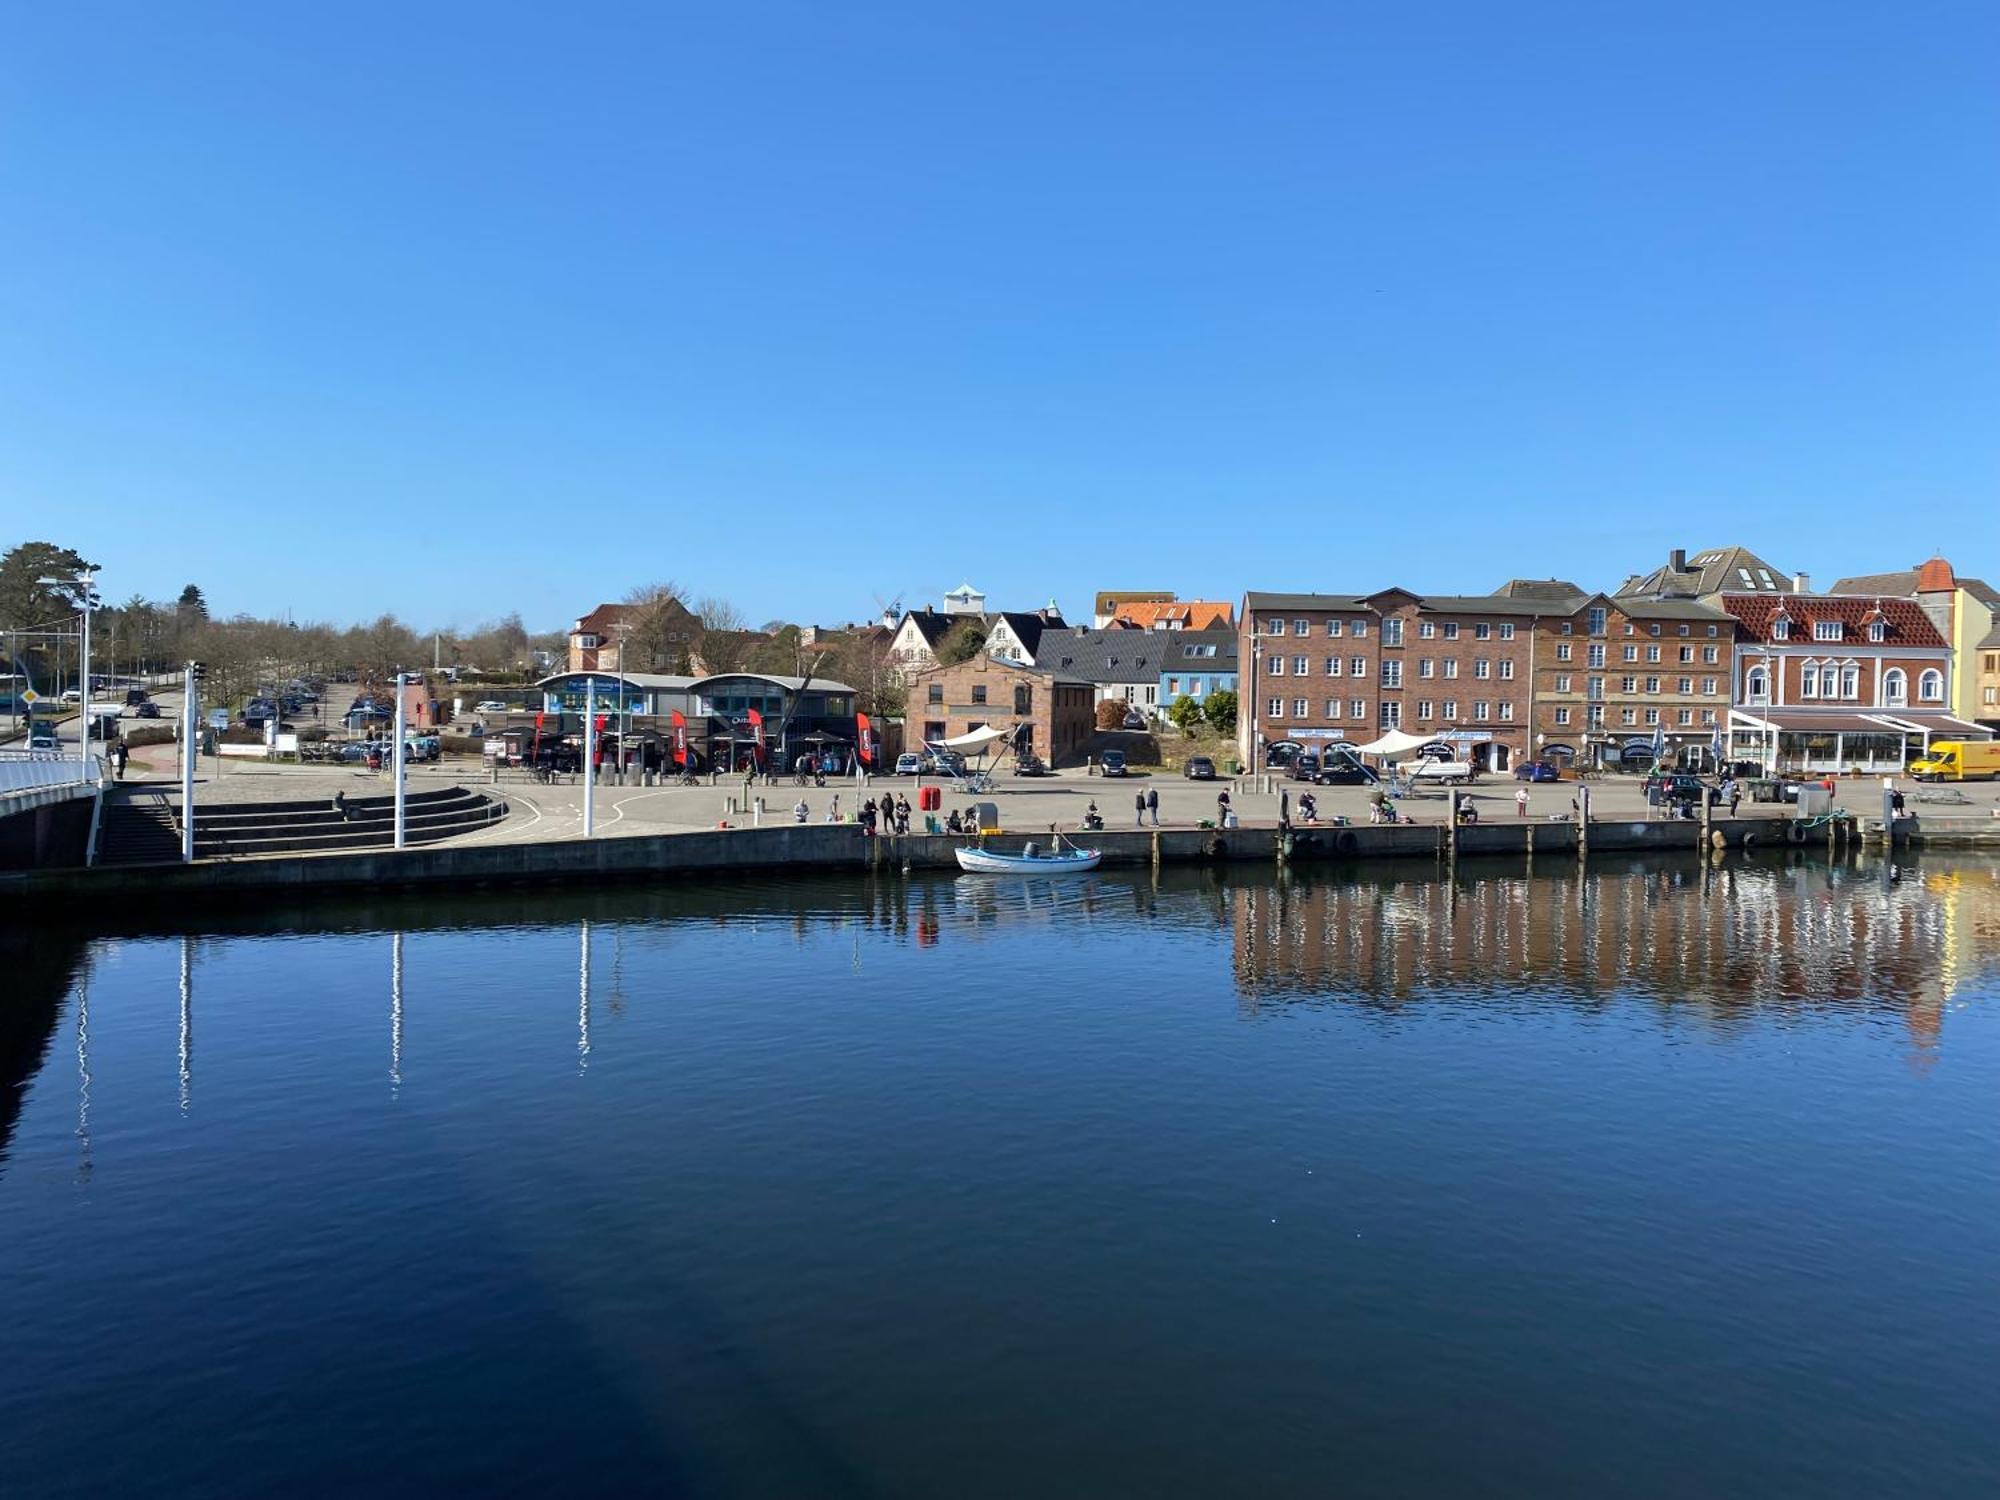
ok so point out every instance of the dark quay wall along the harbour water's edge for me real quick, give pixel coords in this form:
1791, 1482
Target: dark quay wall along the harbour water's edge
825, 847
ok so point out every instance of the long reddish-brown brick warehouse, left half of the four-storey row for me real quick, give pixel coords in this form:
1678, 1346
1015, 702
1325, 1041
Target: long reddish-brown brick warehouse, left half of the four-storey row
1351, 667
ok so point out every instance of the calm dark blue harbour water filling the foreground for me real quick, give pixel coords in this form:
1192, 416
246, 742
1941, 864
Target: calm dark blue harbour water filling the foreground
941, 1189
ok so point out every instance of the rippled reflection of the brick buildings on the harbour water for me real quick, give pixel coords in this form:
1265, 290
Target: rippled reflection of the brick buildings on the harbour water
1717, 941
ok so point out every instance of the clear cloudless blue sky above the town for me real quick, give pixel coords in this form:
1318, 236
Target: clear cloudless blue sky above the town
465, 309
